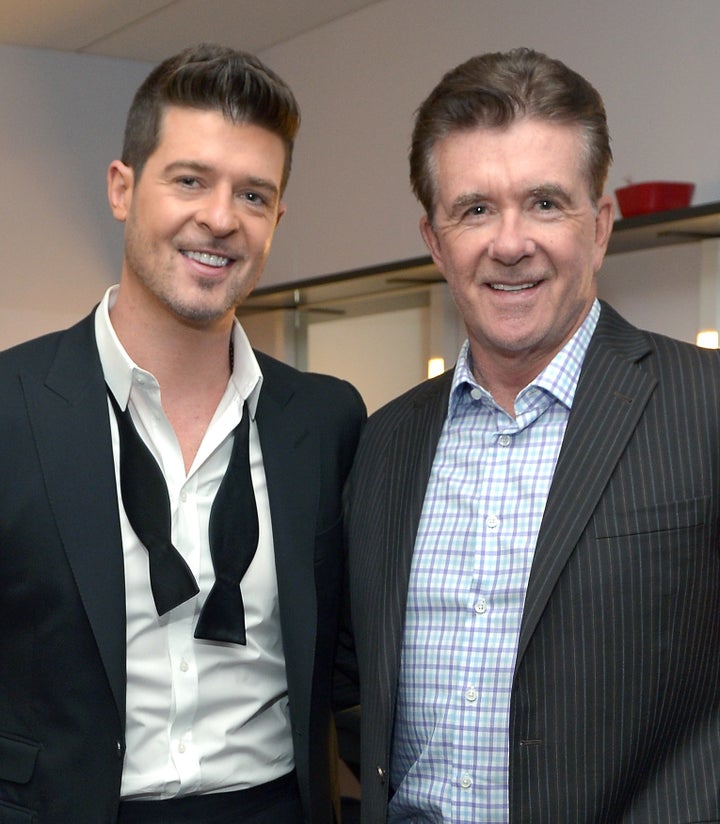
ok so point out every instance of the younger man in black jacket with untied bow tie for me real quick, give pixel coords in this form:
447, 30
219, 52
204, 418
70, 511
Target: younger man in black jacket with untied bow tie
170, 519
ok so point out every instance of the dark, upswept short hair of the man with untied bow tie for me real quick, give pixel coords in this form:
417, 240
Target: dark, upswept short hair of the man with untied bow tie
209, 76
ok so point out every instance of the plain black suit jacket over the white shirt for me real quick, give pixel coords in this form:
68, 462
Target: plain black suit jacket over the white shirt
62, 598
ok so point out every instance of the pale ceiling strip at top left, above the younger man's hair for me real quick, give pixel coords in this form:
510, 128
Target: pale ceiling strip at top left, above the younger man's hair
154, 29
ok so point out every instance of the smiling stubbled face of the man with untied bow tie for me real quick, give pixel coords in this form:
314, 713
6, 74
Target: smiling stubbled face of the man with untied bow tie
201, 215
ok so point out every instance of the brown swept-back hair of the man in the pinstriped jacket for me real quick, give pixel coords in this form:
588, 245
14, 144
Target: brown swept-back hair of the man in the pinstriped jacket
493, 90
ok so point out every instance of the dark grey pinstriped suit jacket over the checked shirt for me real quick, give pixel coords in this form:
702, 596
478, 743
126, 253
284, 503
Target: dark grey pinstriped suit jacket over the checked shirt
615, 713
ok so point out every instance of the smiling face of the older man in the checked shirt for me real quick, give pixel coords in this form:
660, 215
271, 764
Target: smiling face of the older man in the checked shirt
517, 236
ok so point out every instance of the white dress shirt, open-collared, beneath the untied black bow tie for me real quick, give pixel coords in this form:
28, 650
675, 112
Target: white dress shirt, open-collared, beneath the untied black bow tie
202, 716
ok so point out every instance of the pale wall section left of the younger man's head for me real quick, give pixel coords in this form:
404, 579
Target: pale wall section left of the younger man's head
62, 122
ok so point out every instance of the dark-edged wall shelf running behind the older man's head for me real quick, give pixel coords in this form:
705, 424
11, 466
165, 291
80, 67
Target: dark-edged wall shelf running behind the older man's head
349, 292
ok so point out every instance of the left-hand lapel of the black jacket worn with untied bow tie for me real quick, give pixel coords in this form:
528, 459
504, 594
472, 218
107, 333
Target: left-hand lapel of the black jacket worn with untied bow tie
69, 417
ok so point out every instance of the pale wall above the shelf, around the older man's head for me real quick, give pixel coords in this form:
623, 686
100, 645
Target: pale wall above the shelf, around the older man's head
359, 80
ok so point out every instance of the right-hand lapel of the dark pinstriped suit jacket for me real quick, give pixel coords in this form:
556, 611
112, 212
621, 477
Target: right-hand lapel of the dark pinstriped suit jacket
610, 398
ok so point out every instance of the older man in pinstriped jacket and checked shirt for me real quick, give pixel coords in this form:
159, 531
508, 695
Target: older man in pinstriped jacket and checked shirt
534, 536
